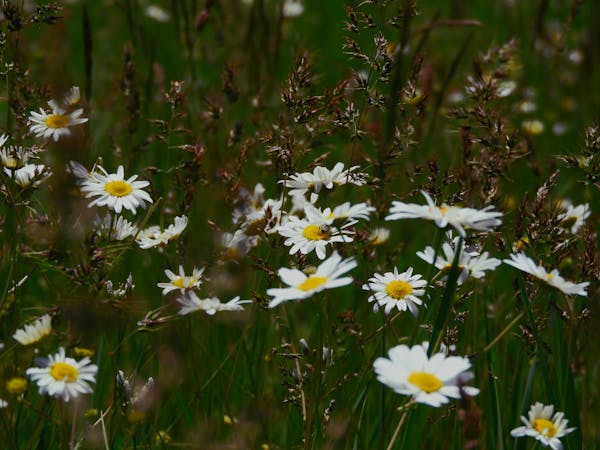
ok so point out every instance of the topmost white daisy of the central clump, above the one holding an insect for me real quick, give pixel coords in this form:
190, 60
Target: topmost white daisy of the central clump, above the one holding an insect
300, 183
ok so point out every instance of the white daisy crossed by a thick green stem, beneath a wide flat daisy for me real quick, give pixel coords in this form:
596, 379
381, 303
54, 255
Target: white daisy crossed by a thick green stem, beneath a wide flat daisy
470, 263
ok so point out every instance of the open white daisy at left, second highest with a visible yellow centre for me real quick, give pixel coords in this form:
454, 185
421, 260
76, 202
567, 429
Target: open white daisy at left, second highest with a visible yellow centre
114, 191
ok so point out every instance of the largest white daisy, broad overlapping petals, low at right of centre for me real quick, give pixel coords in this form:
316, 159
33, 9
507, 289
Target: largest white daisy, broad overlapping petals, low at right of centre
409, 371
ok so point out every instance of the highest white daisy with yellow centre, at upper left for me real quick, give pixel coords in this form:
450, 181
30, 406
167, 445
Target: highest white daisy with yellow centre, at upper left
56, 123
